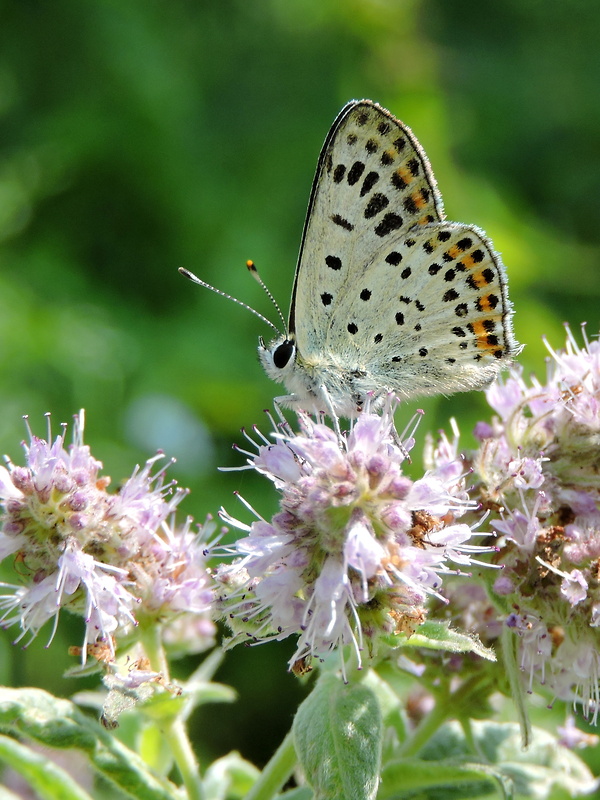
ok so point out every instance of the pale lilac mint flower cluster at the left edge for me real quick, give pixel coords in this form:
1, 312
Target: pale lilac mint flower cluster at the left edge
114, 559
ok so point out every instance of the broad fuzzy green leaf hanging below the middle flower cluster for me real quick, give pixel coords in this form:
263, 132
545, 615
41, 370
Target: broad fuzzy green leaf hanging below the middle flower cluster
338, 736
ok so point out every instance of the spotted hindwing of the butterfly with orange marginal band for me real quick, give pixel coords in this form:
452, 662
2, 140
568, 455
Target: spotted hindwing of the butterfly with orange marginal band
435, 322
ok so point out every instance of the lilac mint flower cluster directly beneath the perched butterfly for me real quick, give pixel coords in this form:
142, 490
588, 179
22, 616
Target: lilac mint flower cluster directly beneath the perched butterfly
356, 548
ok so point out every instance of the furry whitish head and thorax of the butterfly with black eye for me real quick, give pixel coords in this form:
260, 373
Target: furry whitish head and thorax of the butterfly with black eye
318, 383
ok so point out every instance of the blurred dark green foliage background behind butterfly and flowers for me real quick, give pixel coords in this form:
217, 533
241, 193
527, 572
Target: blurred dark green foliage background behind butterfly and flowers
139, 136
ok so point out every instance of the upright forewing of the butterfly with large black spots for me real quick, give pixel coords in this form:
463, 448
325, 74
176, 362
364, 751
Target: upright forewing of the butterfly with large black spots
373, 181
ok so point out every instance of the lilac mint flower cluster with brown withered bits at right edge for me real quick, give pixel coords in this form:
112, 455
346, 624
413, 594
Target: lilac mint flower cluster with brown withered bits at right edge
539, 461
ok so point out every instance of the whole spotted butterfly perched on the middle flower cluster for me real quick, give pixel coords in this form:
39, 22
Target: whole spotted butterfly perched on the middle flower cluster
387, 295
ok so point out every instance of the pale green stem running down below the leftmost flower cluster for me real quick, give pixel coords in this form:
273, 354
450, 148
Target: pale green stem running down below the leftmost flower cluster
173, 728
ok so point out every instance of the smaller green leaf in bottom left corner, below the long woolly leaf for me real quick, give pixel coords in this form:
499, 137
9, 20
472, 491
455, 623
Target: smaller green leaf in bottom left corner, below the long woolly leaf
48, 780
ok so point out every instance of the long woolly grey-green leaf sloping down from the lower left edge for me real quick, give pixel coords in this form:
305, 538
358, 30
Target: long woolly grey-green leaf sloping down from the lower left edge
37, 716
